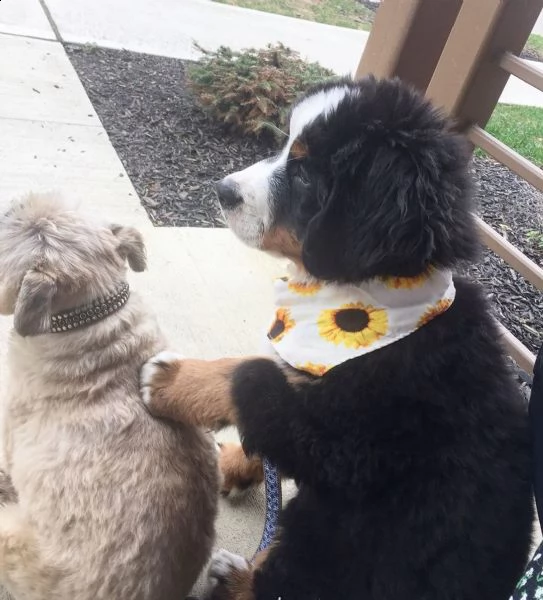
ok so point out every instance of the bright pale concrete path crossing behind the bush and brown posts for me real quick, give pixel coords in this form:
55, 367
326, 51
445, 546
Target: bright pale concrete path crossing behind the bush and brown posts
169, 27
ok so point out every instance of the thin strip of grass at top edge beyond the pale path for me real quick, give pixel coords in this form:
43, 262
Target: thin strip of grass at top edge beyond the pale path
345, 13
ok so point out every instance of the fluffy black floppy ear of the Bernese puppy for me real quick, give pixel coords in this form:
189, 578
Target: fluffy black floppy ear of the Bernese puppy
394, 208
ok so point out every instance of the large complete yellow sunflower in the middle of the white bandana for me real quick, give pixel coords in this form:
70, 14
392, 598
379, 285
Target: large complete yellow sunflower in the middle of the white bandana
354, 325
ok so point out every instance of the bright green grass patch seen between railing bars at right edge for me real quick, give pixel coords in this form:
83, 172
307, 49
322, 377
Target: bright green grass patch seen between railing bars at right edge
521, 128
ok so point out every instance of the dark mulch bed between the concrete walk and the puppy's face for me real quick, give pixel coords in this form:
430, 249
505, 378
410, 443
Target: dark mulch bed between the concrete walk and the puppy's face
172, 152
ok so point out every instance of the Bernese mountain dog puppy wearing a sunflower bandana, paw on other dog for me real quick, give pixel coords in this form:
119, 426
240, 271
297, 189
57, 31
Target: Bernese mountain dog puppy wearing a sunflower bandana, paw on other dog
408, 438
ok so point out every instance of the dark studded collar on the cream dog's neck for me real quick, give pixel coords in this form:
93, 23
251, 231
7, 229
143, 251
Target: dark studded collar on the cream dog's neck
83, 316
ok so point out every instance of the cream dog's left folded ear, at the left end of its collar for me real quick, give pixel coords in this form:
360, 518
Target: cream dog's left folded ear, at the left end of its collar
33, 307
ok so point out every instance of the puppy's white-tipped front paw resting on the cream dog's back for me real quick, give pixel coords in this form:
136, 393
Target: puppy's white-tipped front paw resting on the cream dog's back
157, 378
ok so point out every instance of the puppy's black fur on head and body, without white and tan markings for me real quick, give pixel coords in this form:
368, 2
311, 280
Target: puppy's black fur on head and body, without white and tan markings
413, 461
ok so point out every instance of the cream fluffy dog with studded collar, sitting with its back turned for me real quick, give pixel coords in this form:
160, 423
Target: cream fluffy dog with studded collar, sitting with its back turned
112, 504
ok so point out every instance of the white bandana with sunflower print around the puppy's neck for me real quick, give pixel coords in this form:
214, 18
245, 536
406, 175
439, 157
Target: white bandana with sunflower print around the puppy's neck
318, 326
